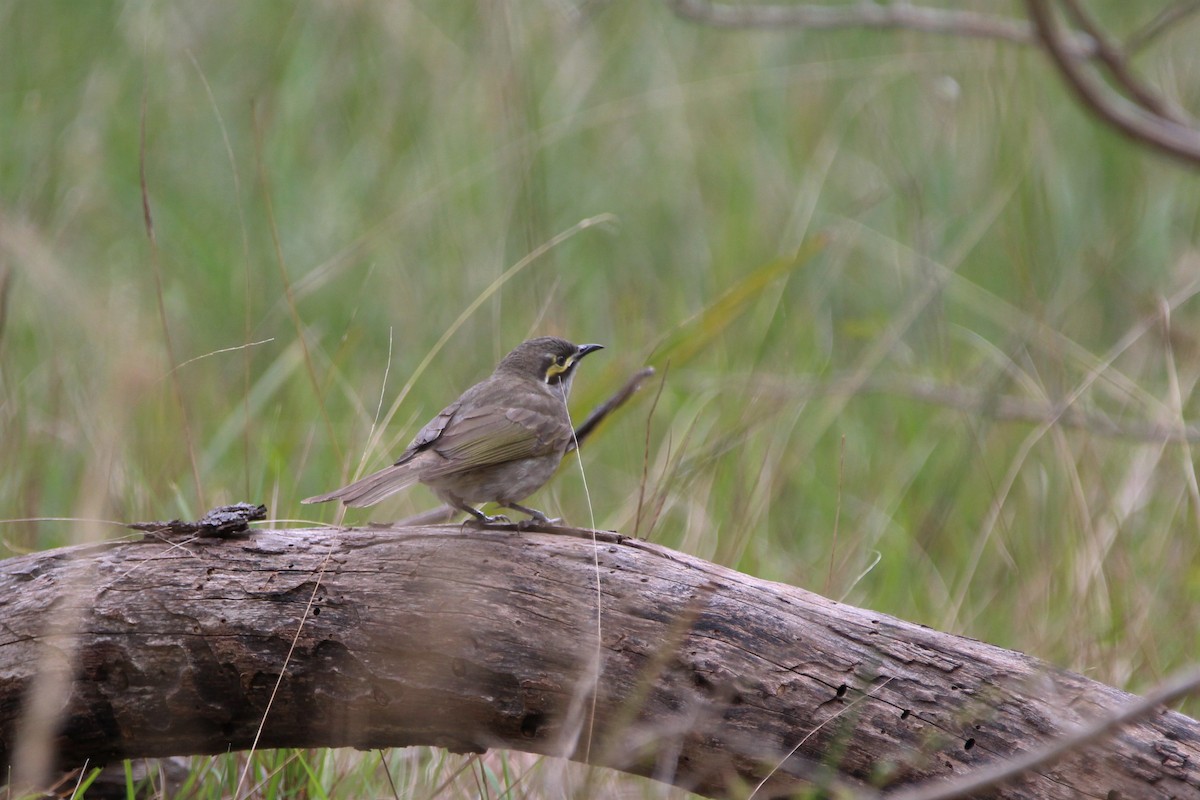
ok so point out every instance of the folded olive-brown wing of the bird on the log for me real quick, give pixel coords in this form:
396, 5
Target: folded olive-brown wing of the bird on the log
490, 436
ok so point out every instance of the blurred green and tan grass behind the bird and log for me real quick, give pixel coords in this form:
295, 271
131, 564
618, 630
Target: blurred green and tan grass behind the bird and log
844, 251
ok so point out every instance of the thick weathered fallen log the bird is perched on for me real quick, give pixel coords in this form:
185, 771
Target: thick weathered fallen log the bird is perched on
472, 640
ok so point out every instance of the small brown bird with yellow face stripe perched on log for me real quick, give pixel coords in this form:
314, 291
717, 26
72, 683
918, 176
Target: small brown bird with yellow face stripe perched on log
499, 443
